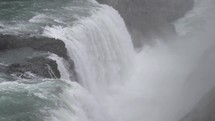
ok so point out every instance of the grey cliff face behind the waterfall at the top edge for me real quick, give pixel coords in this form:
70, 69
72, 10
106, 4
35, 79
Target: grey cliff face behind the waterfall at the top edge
150, 18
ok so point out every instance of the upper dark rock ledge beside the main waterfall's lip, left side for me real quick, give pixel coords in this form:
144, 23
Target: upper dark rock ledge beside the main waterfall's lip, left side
38, 43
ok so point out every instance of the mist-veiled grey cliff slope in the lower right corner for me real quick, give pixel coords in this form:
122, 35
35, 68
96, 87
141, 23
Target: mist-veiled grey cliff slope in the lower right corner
200, 85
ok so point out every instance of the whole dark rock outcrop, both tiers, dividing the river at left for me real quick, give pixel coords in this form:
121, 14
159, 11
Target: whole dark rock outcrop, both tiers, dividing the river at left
39, 65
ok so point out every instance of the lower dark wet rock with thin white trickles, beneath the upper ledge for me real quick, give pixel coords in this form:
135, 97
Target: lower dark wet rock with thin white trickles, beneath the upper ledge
40, 66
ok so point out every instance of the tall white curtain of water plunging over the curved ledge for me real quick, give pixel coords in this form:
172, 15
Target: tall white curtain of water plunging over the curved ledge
100, 46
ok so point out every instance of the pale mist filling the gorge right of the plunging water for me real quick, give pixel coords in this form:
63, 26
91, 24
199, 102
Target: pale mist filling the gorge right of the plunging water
169, 78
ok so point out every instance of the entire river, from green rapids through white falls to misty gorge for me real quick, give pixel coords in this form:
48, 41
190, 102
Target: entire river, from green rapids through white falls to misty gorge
115, 83
